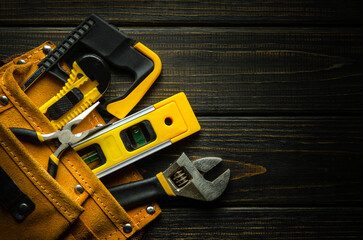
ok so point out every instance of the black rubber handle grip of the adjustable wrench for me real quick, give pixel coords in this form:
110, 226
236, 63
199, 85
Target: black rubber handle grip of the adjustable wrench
134, 194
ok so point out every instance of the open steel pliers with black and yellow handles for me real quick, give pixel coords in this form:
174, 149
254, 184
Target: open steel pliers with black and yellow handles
64, 136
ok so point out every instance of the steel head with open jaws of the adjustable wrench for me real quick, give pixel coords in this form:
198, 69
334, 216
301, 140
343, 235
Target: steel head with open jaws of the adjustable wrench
185, 178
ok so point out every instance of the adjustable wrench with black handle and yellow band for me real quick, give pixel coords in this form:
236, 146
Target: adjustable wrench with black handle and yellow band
182, 178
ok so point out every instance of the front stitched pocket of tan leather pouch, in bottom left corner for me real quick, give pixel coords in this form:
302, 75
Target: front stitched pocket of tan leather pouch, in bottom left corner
50, 210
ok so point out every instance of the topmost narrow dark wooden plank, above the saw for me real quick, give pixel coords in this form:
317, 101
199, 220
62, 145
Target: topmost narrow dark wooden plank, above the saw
180, 12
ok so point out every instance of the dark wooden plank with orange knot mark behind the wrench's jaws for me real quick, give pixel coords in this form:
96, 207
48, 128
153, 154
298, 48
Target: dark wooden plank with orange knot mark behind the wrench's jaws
277, 161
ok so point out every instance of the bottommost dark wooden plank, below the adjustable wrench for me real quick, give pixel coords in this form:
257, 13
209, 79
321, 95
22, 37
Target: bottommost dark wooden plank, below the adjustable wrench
258, 223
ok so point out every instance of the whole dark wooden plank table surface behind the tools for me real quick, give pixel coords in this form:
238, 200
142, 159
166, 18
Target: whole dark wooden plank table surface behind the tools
278, 89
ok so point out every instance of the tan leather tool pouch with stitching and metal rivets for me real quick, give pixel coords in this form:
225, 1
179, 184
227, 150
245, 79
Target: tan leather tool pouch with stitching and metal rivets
75, 205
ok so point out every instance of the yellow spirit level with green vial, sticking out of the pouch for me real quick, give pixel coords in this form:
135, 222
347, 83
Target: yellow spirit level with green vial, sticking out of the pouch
139, 135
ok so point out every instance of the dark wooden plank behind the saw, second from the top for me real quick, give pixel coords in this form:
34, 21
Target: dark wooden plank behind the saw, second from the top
241, 71
